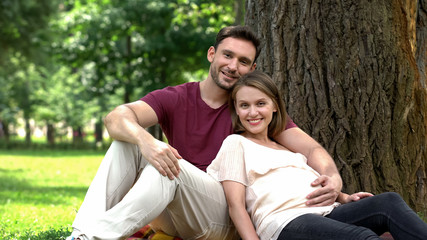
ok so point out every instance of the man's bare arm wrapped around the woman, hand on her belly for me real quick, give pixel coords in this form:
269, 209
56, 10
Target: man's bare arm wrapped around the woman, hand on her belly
319, 159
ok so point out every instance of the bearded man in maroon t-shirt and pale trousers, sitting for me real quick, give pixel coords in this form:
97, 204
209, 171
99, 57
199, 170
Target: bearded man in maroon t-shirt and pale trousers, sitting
143, 180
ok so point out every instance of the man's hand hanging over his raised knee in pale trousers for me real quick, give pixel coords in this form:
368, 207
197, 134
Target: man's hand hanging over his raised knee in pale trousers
163, 157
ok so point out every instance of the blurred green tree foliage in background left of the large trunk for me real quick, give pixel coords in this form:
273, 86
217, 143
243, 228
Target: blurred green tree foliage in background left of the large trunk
67, 63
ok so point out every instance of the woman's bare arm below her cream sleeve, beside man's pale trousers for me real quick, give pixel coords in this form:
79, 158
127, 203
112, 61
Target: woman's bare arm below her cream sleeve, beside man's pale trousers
235, 194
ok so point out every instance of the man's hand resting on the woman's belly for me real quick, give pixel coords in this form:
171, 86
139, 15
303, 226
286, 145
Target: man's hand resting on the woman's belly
327, 194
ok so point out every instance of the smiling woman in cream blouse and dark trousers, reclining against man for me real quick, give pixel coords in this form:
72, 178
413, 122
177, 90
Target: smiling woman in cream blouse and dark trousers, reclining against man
266, 184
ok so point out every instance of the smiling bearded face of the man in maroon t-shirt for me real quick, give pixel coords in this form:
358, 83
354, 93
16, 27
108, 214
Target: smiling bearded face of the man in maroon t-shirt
233, 58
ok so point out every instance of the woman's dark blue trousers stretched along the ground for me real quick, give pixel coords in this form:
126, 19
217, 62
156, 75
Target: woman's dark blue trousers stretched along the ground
365, 219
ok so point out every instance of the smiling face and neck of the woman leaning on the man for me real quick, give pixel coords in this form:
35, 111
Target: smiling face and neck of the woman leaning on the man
255, 110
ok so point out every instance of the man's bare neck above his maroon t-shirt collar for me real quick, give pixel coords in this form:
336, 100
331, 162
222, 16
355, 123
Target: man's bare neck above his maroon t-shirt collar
213, 95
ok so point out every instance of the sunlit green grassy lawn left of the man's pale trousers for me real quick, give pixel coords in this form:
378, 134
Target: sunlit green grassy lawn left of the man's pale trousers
40, 191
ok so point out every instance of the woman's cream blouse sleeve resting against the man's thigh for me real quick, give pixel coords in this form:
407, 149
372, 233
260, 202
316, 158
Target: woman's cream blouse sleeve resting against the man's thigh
229, 163
